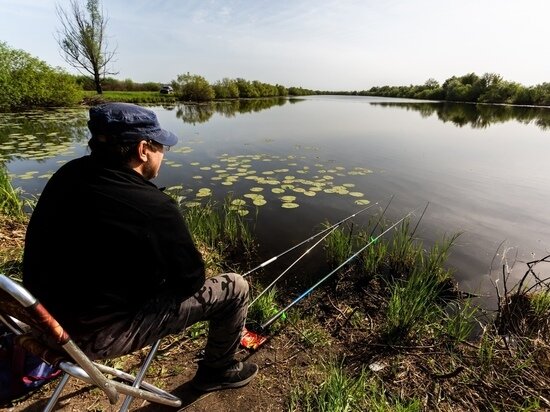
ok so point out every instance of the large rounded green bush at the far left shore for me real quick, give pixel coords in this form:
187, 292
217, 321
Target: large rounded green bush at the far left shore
28, 82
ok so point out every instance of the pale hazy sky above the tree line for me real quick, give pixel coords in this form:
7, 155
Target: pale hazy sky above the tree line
316, 44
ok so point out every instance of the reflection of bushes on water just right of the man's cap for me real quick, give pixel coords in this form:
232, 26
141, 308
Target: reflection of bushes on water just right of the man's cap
201, 113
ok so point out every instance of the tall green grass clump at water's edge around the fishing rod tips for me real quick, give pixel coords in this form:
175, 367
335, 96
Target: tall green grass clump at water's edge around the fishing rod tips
414, 277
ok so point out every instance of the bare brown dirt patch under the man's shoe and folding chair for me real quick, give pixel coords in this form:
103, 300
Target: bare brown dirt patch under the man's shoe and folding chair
282, 360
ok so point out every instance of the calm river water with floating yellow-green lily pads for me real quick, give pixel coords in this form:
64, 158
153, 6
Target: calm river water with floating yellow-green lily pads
483, 170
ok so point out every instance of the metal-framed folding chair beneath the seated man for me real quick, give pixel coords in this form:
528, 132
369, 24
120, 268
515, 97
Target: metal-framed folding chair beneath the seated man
31, 322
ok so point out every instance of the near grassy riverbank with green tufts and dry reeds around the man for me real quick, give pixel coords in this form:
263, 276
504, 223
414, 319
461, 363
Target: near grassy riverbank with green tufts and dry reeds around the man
388, 332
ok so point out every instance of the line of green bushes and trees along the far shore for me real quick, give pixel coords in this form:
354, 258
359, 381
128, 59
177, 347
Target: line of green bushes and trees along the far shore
28, 82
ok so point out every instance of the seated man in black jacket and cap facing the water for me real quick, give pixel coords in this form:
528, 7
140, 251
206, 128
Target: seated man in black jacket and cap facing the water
110, 256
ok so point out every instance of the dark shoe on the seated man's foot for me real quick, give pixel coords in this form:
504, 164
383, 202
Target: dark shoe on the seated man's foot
237, 374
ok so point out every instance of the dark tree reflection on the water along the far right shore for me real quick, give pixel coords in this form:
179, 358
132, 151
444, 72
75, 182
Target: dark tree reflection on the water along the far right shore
478, 116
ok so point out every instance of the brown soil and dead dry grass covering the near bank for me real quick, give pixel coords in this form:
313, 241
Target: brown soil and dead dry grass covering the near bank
342, 322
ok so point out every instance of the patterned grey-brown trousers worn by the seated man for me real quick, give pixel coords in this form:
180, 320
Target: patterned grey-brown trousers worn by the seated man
223, 301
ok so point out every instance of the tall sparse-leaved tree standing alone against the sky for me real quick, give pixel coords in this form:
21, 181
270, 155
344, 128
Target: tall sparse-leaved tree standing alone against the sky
83, 41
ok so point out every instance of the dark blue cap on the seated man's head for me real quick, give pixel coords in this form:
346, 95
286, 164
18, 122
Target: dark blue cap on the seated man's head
128, 123
